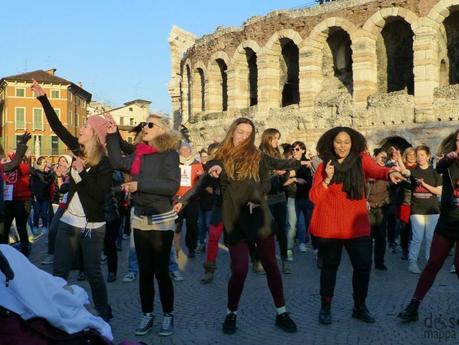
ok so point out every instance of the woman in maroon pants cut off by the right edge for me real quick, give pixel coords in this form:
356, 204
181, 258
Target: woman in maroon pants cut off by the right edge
446, 231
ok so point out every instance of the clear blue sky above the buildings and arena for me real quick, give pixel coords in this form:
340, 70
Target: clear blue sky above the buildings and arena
117, 48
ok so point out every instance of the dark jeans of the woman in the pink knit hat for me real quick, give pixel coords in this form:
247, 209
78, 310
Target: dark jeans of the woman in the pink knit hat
69, 240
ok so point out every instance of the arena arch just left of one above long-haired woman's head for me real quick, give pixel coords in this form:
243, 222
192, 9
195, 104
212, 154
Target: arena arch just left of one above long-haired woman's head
217, 86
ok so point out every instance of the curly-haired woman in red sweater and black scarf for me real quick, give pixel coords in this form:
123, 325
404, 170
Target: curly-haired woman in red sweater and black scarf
340, 216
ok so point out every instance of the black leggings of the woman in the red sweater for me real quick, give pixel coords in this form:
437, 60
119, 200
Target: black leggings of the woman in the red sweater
359, 250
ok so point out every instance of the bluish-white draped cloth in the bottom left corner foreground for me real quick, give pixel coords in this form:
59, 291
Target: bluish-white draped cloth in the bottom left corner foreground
36, 293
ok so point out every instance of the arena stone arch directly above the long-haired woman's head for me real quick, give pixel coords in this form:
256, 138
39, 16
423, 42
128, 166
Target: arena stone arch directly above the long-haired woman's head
244, 75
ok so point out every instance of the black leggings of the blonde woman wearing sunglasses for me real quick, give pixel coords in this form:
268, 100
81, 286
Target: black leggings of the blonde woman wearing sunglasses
153, 249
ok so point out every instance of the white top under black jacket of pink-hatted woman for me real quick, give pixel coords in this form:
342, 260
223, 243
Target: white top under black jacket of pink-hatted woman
74, 214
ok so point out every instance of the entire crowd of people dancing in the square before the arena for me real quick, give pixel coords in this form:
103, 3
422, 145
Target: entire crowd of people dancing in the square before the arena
337, 195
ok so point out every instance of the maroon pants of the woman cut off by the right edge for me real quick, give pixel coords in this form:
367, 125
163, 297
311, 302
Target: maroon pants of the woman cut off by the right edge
439, 251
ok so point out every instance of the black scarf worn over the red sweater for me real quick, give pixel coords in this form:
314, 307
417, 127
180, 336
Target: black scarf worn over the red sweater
350, 173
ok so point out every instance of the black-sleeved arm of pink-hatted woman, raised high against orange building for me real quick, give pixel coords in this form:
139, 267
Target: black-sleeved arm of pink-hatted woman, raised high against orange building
56, 125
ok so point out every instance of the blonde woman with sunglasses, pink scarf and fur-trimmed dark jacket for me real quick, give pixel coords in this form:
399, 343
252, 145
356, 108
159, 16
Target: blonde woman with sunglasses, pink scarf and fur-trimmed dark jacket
154, 167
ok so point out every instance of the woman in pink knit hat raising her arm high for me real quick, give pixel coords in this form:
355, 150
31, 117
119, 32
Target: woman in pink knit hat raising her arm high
83, 221
